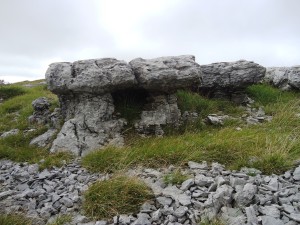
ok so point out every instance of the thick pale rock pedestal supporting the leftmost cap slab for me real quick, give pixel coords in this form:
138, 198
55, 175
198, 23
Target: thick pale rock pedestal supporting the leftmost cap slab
89, 126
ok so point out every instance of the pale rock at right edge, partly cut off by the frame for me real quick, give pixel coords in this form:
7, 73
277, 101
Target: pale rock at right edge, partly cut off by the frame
285, 78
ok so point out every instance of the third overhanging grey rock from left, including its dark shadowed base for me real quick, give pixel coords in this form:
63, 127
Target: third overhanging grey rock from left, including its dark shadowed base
229, 79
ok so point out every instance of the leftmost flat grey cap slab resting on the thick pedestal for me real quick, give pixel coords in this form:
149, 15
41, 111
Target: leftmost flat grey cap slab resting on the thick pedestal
90, 76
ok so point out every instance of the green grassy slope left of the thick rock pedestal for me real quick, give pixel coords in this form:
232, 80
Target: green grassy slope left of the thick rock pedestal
14, 113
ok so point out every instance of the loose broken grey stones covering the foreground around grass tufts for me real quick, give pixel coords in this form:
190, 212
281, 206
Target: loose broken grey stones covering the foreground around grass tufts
236, 197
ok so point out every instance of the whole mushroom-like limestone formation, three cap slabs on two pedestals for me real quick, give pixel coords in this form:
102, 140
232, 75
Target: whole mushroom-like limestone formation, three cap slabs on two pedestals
86, 89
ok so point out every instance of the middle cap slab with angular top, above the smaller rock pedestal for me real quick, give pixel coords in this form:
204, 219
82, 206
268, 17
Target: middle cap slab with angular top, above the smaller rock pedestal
167, 73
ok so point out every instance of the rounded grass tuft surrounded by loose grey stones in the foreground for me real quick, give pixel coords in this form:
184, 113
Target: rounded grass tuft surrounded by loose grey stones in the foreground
118, 195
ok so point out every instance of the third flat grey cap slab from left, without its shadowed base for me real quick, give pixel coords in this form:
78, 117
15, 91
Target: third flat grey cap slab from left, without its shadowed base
239, 74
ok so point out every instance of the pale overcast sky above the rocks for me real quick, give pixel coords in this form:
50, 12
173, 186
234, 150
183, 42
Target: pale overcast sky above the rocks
35, 33
